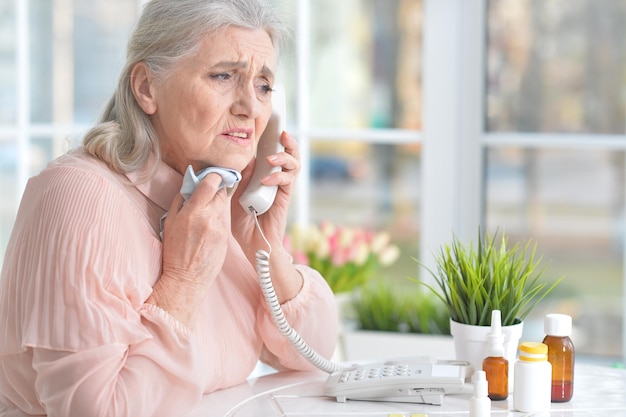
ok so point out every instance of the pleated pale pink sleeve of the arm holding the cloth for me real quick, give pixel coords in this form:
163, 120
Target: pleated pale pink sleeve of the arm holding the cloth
81, 262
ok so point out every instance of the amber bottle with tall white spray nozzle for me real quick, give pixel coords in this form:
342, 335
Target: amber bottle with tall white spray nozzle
495, 365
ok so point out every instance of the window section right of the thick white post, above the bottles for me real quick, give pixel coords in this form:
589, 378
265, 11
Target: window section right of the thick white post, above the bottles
555, 152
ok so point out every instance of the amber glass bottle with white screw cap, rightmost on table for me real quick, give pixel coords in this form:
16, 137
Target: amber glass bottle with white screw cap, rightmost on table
558, 328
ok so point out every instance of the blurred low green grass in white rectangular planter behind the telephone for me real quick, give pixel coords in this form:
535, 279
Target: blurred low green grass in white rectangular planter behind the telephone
391, 321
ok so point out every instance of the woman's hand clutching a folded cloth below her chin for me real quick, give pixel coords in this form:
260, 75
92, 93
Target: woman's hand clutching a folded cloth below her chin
195, 241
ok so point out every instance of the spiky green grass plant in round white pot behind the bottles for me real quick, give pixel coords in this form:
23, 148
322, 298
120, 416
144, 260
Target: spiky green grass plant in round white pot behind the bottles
472, 281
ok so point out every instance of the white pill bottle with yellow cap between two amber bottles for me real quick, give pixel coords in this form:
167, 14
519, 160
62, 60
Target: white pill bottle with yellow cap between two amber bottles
532, 380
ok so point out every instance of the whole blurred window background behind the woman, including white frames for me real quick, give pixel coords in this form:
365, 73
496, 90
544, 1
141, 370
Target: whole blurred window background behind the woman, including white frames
419, 117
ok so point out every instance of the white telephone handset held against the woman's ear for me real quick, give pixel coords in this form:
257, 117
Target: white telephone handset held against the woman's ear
259, 197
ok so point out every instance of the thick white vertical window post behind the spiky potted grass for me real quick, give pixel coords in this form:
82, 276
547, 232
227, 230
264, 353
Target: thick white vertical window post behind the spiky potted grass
454, 46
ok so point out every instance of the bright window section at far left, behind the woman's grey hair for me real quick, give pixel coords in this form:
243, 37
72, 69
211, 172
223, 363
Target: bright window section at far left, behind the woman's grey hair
59, 62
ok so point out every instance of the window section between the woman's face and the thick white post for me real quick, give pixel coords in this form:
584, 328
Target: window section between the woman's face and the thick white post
357, 112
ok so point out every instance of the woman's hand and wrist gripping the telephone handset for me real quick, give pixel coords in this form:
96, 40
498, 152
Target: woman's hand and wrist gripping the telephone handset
287, 281
